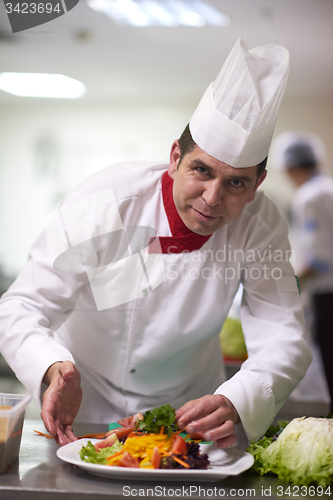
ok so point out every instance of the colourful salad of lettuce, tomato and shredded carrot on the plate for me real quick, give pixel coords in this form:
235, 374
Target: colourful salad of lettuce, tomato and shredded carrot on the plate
148, 441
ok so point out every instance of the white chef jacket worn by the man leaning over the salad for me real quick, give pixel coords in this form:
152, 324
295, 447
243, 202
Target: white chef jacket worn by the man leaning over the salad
161, 343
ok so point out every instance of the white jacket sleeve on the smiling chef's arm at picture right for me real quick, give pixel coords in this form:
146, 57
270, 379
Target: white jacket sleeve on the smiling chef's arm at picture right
272, 320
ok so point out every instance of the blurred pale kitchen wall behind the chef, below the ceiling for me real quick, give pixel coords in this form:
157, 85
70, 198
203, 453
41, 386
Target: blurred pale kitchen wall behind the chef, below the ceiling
48, 147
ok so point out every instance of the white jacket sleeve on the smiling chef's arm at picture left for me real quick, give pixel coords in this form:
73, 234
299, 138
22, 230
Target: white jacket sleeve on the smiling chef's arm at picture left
48, 288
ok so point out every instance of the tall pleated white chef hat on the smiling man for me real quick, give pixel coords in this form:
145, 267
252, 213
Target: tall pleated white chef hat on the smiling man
235, 119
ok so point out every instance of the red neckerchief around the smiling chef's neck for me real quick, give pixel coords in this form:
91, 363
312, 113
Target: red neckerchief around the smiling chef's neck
182, 239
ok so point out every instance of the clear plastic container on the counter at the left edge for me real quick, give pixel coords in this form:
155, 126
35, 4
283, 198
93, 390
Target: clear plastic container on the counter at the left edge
12, 410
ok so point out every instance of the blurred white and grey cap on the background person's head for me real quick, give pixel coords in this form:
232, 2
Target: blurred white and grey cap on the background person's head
297, 148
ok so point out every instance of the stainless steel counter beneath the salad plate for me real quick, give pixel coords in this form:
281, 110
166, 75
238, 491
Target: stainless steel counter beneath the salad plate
40, 475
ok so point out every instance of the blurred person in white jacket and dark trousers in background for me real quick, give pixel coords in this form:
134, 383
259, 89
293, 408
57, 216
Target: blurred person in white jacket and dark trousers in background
300, 155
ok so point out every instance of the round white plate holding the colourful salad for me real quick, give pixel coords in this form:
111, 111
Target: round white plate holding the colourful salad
223, 463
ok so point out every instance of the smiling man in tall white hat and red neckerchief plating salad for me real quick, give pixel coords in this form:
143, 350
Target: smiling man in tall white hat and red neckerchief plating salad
125, 292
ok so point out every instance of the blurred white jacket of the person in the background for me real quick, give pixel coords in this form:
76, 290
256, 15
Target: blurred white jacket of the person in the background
312, 212
